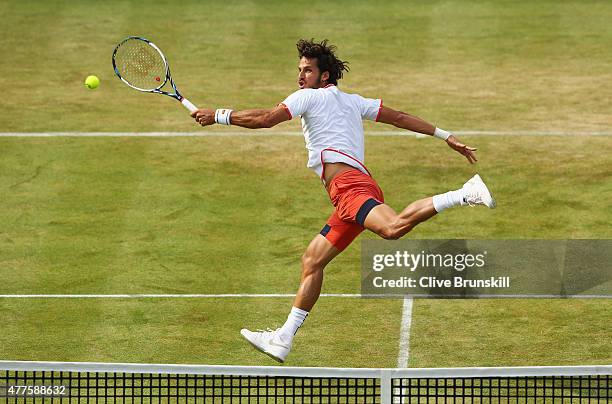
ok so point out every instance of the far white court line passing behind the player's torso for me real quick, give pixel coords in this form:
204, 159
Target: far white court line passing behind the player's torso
204, 133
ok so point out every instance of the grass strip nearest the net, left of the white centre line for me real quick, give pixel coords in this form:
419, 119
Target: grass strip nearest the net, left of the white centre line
197, 331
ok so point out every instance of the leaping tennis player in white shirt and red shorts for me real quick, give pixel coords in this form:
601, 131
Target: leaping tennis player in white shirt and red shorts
333, 129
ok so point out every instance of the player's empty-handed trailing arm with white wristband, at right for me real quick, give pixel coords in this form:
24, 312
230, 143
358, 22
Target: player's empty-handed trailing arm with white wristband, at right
413, 123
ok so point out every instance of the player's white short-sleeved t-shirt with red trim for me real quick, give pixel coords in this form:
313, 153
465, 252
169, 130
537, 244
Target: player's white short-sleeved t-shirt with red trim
332, 124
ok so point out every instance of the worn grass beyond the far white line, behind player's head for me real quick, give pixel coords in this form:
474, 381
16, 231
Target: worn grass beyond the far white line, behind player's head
492, 65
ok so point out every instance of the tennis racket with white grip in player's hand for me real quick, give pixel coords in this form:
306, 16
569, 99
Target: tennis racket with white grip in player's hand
142, 65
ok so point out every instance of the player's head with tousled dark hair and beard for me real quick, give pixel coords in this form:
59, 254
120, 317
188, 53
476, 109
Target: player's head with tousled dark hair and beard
318, 66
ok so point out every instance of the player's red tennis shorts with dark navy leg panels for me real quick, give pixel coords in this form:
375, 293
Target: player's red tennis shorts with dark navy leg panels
354, 194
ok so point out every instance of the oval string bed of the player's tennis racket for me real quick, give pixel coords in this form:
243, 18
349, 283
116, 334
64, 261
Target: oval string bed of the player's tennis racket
140, 65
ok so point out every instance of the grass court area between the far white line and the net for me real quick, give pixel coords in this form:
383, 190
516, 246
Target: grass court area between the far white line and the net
195, 215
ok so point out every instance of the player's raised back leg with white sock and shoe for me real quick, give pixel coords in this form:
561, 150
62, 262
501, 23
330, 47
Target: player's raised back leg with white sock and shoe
385, 222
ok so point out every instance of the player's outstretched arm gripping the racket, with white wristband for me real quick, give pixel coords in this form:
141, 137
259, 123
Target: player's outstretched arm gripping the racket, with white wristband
250, 118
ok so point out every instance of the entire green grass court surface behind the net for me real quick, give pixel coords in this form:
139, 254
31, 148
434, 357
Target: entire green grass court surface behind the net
233, 215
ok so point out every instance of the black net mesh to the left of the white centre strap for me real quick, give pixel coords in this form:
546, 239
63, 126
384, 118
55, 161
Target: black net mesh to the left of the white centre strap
112, 387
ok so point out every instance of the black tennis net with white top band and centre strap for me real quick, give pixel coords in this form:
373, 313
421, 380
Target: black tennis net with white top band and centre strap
75, 382
